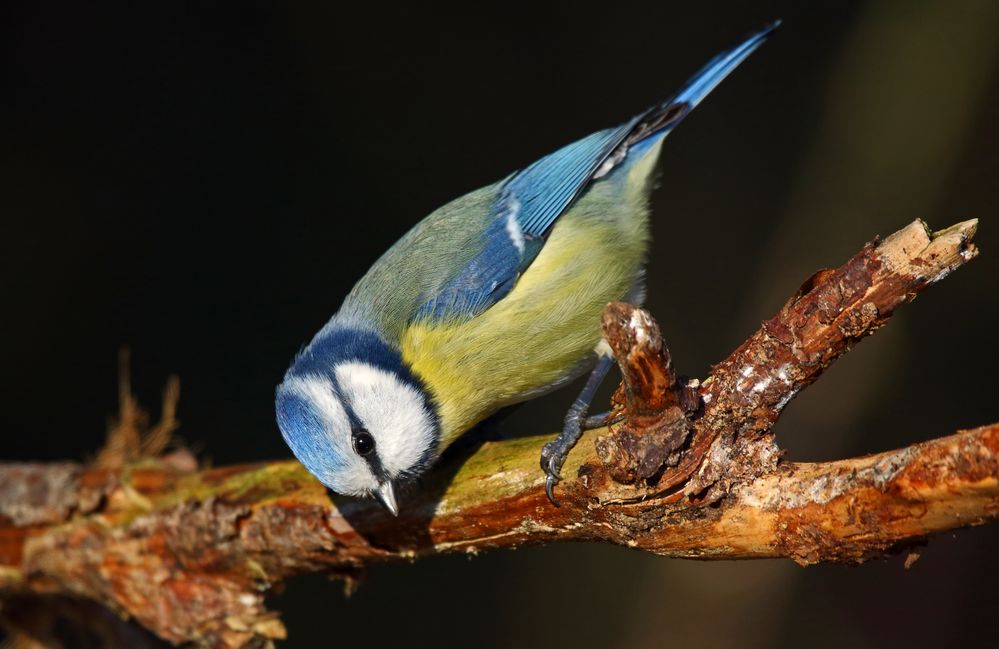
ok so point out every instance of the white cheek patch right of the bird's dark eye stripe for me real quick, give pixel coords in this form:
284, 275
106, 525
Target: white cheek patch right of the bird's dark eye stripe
394, 413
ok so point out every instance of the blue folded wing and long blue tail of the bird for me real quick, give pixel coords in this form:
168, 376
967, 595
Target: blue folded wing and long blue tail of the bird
531, 200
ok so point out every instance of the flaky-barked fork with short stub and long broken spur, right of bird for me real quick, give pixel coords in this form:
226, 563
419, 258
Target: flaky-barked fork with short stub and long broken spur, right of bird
705, 436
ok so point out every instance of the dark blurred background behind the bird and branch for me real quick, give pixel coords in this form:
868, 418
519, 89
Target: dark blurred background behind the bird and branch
205, 183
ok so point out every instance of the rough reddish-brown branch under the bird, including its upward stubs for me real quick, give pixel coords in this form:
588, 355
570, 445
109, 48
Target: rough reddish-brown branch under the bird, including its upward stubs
692, 471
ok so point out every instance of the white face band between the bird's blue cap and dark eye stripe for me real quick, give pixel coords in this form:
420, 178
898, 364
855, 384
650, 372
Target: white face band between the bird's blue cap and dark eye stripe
351, 474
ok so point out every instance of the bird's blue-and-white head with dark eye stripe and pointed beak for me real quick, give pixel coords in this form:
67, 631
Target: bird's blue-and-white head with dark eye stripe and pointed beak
359, 427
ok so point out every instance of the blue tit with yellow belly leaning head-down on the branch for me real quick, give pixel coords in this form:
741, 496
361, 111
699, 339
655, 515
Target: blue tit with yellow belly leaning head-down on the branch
493, 299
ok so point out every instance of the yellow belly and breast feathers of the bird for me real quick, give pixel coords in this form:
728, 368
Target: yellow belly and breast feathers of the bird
544, 330
